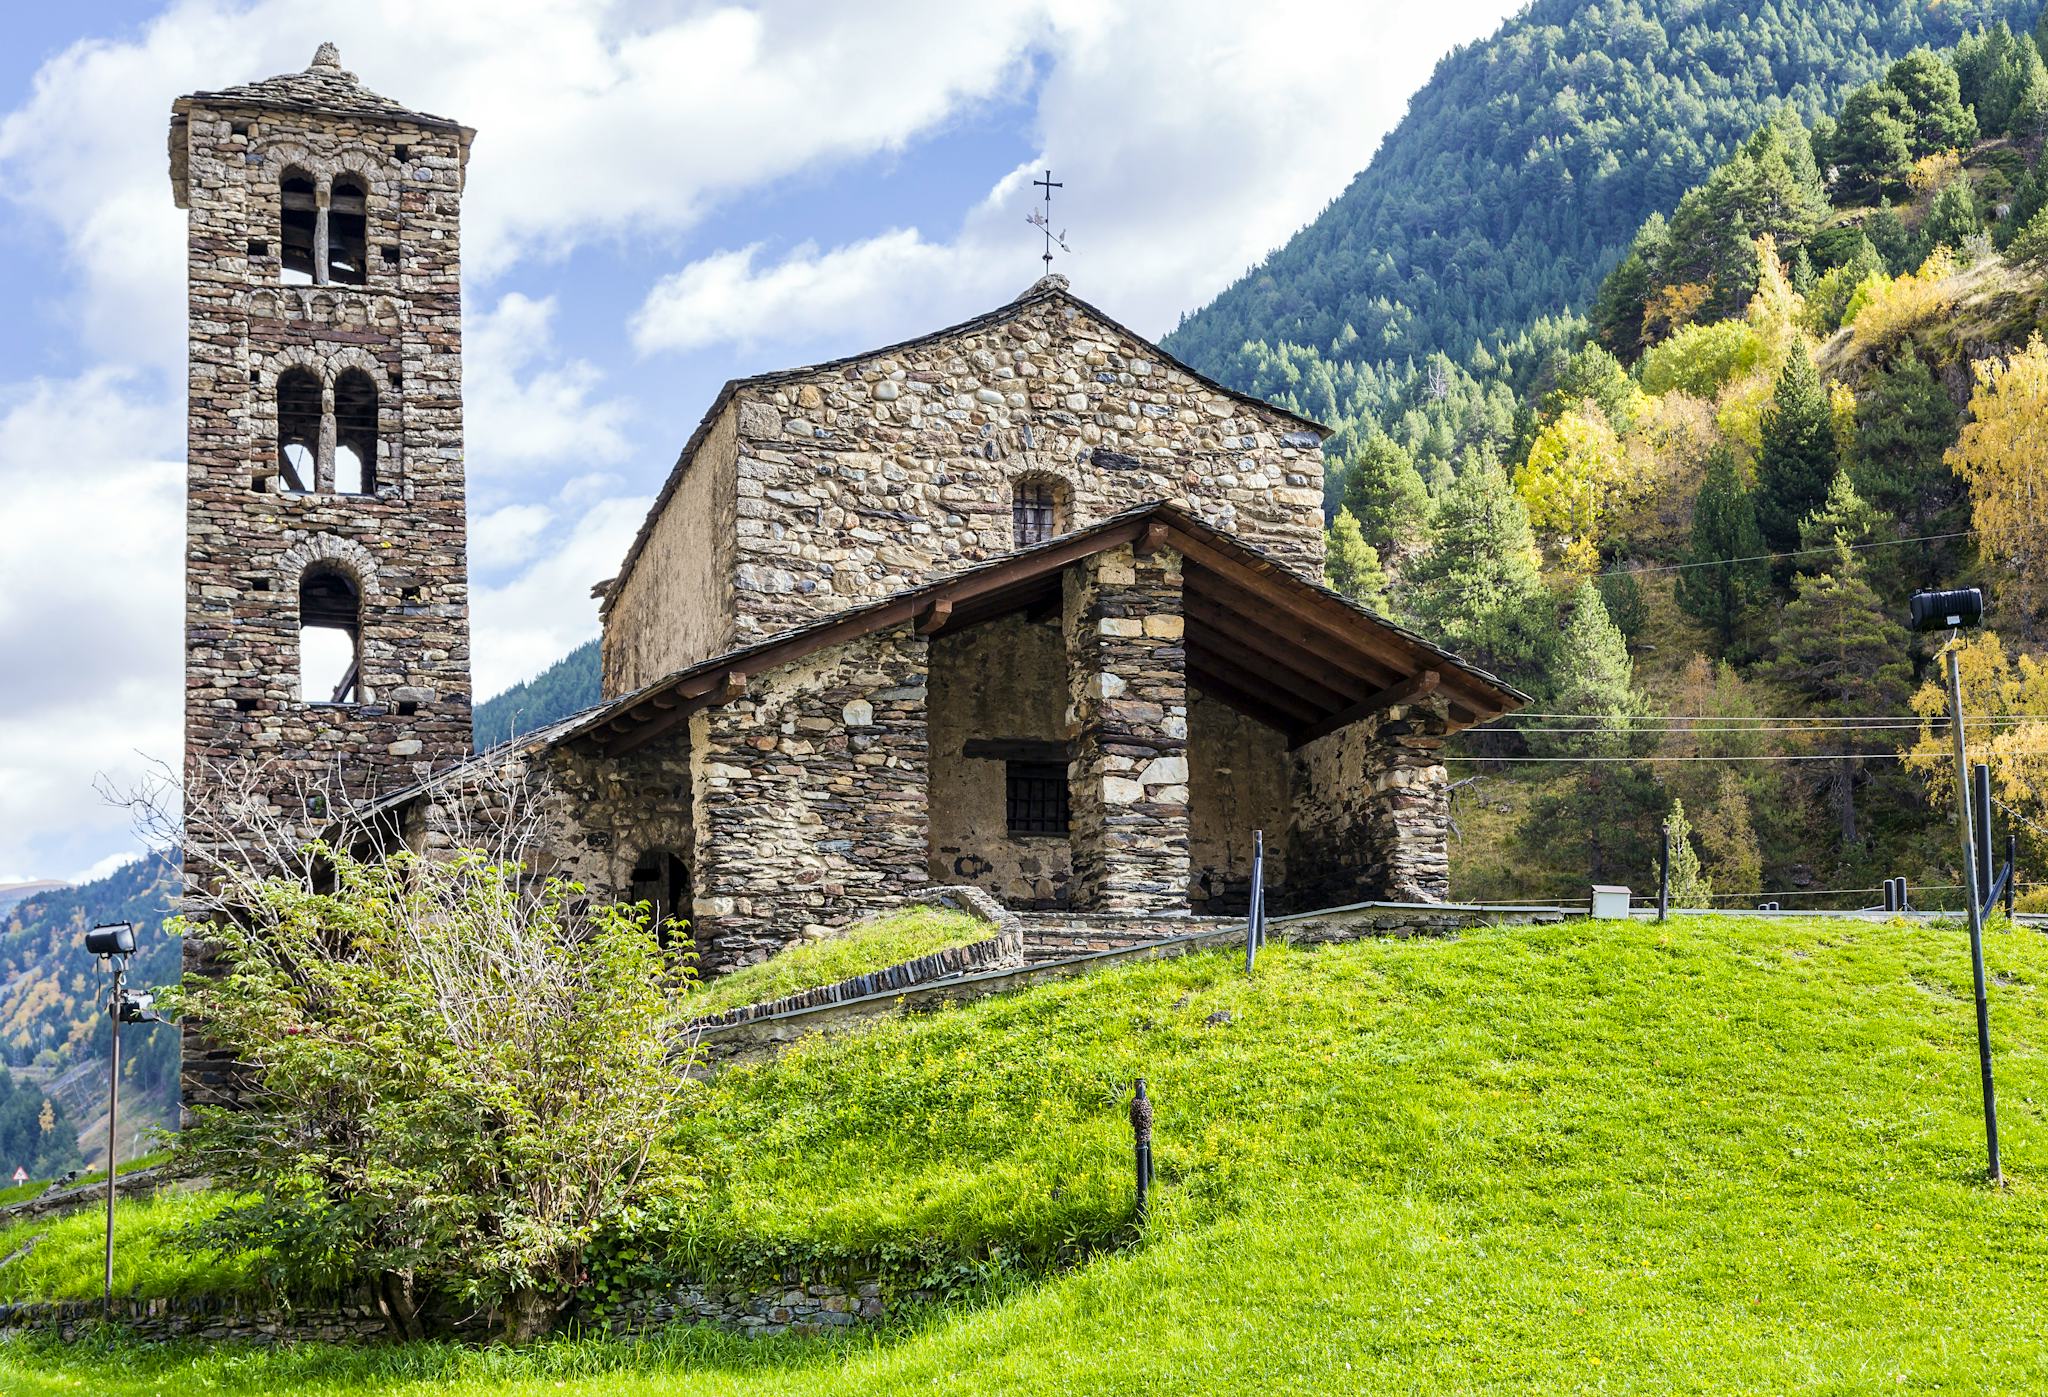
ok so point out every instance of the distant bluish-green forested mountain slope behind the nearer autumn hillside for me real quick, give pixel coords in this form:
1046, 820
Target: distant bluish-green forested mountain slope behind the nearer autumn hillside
1525, 167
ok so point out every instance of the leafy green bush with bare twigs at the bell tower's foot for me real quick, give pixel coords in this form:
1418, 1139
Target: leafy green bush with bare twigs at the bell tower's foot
454, 1081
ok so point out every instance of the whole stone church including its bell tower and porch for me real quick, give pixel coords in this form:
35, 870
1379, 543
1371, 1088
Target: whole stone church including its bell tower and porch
1021, 603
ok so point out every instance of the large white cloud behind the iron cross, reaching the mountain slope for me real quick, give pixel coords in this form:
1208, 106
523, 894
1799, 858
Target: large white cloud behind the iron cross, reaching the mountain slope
1189, 149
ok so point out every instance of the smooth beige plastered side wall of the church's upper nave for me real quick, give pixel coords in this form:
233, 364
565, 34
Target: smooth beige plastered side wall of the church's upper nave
679, 603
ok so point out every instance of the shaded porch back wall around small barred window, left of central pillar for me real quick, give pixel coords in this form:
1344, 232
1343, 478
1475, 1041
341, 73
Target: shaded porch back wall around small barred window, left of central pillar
998, 681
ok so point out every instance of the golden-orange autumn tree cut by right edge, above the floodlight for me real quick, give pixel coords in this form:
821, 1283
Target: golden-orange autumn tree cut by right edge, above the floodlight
2004, 460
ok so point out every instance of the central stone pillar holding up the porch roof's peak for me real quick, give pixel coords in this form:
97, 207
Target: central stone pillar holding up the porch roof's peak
1127, 675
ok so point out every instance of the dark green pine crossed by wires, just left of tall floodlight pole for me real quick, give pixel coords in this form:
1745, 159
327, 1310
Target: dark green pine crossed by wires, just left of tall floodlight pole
1842, 654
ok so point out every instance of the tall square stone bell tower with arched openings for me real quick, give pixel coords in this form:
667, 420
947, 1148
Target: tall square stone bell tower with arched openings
327, 585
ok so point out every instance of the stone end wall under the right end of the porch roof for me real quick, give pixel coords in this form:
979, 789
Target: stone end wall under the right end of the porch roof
1371, 812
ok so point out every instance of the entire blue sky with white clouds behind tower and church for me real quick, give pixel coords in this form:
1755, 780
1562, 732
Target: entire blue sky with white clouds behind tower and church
665, 194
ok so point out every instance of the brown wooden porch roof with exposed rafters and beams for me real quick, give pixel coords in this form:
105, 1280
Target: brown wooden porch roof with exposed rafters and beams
1258, 638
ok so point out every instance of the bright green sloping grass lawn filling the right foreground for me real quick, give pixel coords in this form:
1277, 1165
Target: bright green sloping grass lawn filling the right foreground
1717, 1156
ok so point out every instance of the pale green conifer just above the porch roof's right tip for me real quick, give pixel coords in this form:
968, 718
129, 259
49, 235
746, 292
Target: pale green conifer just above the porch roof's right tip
1478, 583
